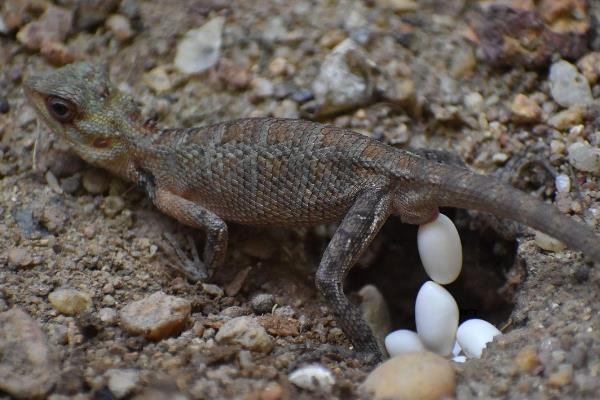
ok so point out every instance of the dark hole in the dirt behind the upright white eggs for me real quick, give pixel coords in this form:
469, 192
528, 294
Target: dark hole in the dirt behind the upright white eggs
397, 272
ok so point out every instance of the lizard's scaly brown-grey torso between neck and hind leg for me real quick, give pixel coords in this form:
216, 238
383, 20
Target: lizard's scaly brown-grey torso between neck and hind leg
264, 171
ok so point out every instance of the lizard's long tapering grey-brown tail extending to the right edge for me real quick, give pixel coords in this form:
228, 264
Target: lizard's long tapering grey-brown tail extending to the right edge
462, 188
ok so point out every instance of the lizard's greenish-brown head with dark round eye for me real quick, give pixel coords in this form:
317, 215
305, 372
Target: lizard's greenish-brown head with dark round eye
79, 103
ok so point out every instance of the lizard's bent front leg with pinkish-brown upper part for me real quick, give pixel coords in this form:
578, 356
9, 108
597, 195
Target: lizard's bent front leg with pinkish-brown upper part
193, 215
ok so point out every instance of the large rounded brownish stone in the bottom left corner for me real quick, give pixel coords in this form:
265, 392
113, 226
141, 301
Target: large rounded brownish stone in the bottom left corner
27, 368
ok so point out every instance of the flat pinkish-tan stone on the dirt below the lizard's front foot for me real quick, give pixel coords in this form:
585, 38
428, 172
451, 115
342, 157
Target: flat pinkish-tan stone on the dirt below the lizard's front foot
156, 316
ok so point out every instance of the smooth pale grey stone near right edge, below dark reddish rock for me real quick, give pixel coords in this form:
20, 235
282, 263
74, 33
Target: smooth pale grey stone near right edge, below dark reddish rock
567, 86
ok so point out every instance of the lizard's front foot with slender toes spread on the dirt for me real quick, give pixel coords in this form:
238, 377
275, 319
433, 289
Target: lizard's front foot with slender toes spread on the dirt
192, 268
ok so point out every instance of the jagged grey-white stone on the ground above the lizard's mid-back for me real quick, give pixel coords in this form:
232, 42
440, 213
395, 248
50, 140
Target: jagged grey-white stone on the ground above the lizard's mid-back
344, 81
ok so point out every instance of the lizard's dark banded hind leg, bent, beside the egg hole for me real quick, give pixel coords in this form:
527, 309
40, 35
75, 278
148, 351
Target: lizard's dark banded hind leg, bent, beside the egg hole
356, 231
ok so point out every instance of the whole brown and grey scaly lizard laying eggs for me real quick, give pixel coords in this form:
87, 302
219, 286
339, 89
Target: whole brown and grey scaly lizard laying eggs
278, 172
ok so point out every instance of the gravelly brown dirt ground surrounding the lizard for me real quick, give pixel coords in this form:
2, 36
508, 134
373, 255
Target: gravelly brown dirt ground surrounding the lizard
65, 224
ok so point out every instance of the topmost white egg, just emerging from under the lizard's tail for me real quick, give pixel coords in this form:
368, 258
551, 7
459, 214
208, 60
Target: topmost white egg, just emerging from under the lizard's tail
440, 249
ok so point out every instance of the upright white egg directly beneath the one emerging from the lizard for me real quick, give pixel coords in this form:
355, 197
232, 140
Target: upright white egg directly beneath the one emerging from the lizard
436, 317
